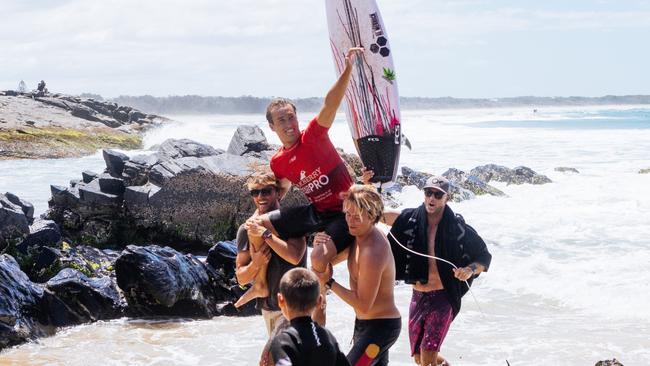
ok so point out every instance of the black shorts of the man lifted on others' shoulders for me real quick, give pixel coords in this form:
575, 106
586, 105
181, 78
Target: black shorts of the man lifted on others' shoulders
296, 222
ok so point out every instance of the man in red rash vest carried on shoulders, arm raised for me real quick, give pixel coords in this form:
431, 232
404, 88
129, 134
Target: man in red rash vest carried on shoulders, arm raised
309, 160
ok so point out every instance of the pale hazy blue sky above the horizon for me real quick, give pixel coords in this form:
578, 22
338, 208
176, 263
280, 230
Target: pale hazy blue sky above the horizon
456, 48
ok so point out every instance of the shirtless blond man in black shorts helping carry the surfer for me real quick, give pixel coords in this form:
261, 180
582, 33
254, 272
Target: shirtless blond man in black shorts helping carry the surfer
372, 276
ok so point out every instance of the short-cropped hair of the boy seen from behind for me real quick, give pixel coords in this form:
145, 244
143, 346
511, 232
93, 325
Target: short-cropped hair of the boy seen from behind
300, 289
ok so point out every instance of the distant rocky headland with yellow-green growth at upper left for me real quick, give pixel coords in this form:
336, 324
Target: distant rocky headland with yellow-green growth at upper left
57, 126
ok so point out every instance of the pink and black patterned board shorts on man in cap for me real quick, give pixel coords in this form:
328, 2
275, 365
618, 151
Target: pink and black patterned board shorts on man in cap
430, 315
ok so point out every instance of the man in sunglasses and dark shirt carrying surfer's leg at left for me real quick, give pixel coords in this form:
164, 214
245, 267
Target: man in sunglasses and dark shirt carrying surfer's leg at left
263, 257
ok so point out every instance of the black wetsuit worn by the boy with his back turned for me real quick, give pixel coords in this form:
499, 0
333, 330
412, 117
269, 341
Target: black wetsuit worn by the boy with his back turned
305, 343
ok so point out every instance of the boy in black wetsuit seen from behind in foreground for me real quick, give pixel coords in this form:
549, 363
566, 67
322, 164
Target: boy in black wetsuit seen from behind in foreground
304, 343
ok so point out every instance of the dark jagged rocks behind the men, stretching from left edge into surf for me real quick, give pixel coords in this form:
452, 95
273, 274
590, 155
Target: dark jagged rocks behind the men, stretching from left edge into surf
151, 235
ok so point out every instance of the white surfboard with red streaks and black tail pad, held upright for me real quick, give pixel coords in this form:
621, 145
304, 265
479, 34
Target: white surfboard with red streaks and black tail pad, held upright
372, 100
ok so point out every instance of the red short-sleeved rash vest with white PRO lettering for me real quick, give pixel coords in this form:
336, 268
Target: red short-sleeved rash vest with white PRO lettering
315, 167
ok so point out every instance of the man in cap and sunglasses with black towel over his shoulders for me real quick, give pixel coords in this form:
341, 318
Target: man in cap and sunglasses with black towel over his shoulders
433, 229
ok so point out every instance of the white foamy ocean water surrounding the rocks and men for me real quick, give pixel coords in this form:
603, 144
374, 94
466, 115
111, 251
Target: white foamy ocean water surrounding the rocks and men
569, 282
